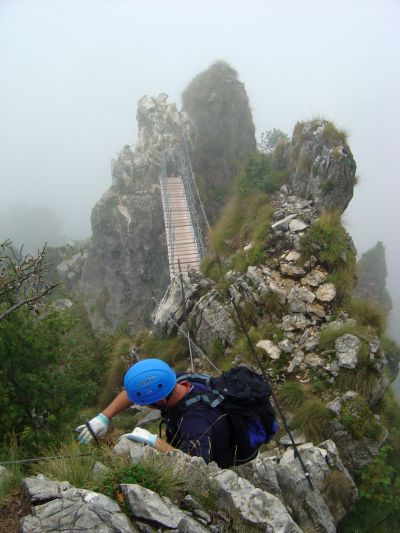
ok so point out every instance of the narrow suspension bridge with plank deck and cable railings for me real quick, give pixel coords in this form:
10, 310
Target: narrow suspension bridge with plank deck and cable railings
183, 211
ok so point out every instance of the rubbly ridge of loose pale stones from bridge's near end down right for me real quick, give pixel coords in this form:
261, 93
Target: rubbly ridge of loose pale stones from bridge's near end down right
297, 297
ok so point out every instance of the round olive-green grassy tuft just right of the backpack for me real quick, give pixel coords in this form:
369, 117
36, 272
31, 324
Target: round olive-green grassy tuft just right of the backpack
313, 418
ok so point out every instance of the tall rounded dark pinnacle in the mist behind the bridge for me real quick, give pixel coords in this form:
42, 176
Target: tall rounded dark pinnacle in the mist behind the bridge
218, 104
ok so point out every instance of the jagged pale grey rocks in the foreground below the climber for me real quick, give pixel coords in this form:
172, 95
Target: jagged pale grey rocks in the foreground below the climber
254, 496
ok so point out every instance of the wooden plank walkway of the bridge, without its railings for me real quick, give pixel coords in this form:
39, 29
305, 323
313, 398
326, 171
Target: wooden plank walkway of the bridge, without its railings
184, 247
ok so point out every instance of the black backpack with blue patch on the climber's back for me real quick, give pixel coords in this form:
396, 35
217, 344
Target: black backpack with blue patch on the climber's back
244, 396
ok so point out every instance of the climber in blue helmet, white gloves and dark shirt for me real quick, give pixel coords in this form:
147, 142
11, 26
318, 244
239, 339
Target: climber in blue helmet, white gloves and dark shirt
199, 430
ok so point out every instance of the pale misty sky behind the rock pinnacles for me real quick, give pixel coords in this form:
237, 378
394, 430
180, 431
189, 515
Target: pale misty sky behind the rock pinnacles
71, 74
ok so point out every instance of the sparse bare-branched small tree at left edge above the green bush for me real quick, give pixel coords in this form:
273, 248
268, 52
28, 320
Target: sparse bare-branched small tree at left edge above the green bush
22, 278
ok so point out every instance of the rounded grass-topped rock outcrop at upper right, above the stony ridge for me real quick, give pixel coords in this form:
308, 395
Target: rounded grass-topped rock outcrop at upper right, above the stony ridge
321, 164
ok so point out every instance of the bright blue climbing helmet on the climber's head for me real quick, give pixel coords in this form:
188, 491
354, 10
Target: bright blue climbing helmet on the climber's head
149, 381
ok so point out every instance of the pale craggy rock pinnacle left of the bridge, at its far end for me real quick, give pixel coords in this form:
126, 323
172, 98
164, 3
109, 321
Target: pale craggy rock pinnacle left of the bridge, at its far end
126, 262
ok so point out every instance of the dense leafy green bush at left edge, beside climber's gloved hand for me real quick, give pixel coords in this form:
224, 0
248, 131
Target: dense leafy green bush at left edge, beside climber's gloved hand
42, 364
